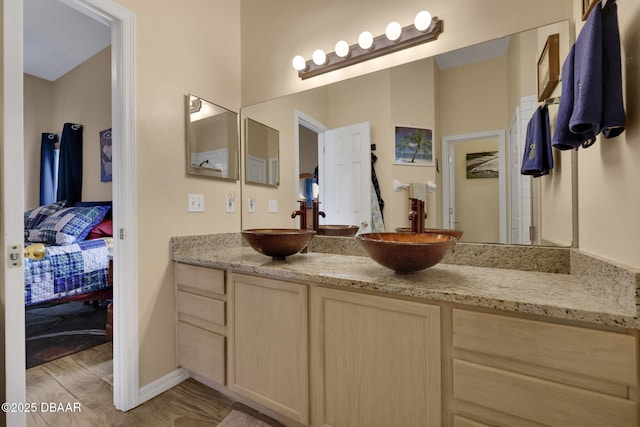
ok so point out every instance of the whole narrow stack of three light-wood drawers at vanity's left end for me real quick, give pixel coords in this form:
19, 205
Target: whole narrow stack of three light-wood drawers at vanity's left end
201, 326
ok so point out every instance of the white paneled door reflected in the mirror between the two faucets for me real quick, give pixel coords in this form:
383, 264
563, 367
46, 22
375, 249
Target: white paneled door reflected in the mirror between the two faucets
344, 169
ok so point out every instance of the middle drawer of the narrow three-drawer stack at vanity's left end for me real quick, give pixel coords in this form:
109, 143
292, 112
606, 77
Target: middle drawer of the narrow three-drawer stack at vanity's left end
201, 311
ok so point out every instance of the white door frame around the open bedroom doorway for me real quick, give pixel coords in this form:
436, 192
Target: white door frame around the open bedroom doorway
126, 389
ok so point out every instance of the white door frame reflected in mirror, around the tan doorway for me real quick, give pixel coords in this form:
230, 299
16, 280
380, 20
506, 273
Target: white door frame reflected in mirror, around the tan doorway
448, 177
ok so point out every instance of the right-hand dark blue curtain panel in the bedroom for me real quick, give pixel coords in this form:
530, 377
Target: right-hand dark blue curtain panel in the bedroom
70, 169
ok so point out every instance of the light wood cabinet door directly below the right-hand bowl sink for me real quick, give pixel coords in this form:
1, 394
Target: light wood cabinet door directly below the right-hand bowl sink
375, 361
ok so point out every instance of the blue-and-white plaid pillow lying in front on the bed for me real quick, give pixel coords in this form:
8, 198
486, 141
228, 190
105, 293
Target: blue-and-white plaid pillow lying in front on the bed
68, 225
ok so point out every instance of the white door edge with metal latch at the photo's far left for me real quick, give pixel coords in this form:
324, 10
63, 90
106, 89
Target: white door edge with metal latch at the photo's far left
11, 212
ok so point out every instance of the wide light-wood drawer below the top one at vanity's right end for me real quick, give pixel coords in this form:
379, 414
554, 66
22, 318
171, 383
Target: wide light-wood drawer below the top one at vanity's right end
533, 400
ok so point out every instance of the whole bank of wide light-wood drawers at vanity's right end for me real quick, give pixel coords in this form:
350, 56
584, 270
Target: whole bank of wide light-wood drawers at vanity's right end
517, 372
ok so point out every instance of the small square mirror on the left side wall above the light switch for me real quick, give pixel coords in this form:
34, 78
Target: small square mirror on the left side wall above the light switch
213, 142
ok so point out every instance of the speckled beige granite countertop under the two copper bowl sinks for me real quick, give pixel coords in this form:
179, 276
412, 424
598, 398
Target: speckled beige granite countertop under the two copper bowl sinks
606, 299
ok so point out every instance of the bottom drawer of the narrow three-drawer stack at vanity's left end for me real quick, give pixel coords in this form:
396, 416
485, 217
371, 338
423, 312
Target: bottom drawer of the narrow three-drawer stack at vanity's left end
201, 352
